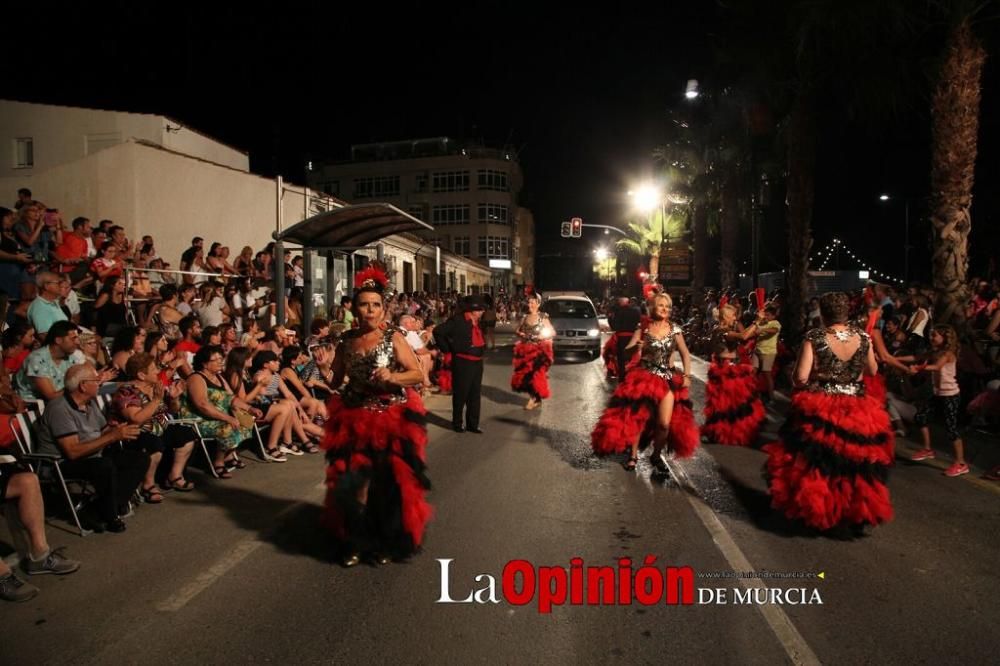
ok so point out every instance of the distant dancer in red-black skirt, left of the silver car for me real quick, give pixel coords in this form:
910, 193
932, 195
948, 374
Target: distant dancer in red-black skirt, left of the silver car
533, 354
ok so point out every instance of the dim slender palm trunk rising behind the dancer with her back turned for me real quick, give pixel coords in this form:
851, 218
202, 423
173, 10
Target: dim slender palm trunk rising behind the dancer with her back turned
800, 195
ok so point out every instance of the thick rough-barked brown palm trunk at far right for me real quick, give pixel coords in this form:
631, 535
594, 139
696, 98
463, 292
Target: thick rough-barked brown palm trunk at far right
955, 127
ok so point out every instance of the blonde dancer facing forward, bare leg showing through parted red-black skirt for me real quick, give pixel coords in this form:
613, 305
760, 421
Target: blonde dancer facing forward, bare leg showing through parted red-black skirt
652, 403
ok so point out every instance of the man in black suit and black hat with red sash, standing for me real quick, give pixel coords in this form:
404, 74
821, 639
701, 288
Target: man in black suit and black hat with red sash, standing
462, 337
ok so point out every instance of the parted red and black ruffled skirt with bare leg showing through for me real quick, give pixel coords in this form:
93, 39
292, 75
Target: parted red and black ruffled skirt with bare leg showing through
631, 415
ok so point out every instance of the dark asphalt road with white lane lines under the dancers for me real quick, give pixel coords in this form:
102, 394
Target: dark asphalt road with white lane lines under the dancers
238, 571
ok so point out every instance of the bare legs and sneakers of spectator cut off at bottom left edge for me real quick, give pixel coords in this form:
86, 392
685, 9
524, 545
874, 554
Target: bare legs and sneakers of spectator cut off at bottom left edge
21, 486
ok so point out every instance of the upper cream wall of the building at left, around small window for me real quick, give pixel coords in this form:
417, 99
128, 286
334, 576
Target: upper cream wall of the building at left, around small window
63, 134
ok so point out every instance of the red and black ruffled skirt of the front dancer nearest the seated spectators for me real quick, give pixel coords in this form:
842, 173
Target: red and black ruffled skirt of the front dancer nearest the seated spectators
386, 451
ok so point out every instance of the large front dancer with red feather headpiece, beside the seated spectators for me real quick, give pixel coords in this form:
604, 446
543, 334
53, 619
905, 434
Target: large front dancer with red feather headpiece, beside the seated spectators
375, 438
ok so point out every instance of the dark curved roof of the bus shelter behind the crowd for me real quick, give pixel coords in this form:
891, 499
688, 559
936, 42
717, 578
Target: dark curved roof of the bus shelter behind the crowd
351, 226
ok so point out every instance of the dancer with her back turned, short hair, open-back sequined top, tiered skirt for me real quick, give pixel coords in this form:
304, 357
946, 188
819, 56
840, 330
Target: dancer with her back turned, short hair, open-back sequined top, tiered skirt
832, 463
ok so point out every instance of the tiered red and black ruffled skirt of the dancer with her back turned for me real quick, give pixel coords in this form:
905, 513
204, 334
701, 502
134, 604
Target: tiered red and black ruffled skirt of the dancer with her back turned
831, 466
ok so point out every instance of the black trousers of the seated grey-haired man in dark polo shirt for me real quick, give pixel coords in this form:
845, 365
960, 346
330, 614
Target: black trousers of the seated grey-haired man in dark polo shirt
115, 476
